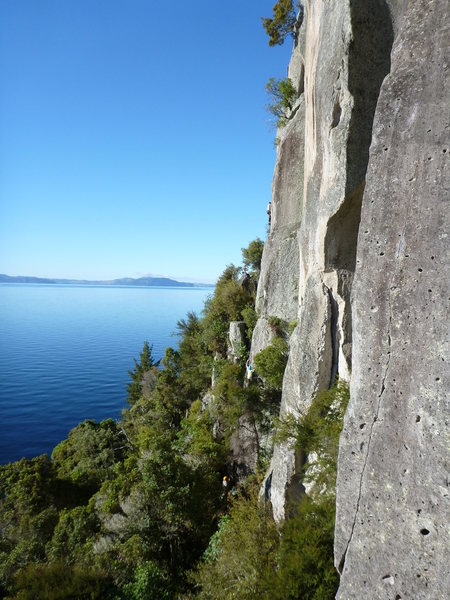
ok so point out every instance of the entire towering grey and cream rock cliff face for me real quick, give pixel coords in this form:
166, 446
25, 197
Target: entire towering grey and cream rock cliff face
355, 253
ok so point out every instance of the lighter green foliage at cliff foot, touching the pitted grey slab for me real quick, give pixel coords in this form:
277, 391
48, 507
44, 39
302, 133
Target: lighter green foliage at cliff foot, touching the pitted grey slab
247, 556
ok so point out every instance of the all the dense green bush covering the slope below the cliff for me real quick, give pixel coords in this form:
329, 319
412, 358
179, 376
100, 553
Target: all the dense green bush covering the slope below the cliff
136, 509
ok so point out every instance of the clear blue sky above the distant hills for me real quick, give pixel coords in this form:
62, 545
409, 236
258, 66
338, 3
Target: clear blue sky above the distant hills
133, 136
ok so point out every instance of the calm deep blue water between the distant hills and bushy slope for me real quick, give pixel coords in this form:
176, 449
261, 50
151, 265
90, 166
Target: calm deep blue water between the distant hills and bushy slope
65, 353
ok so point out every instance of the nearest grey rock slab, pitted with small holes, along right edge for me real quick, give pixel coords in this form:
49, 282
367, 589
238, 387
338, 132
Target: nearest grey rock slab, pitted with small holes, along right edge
393, 497
